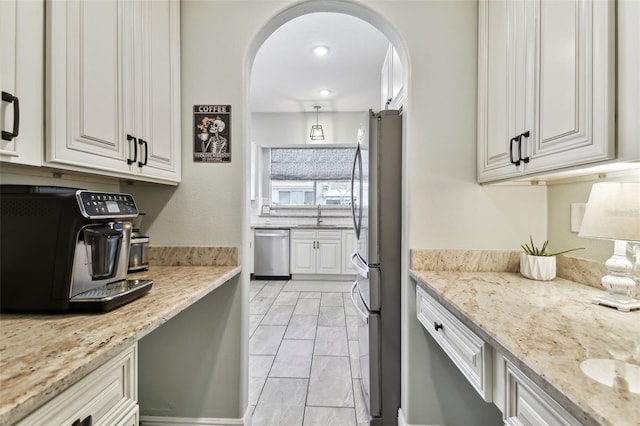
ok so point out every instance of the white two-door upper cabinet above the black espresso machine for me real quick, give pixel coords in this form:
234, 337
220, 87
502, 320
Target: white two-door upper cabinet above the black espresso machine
113, 88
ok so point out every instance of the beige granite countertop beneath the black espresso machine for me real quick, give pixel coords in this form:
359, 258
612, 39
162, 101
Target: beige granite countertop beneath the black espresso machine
43, 355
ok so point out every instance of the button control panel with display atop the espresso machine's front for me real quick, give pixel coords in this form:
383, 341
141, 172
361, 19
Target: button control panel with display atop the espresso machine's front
105, 205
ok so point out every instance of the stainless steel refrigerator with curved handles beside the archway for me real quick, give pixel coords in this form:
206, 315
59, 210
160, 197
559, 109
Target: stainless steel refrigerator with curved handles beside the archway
376, 205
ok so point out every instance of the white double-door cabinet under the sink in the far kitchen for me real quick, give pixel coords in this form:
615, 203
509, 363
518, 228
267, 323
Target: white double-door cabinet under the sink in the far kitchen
316, 251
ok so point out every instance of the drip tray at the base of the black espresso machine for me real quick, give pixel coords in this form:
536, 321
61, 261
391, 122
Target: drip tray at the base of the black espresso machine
109, 296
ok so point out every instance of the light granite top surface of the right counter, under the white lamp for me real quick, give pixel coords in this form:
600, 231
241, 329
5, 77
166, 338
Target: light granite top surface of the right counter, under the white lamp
547, 329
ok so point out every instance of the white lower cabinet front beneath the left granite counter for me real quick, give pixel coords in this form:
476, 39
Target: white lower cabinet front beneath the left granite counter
107, 396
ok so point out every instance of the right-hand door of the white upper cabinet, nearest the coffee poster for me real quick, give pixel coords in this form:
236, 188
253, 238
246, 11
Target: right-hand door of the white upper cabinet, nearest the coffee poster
159, 89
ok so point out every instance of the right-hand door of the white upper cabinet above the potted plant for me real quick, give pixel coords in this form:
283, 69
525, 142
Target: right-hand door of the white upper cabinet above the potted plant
575, 74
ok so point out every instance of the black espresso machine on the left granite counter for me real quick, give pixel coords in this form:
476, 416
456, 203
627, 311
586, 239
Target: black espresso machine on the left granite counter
65, 249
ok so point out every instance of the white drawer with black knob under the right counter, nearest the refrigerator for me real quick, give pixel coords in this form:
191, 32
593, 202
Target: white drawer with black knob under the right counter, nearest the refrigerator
471, 354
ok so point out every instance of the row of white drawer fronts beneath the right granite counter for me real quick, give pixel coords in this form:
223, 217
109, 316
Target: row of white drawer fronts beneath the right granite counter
496, 379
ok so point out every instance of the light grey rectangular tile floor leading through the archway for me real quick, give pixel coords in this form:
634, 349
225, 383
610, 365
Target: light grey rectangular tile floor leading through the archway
303, 355
